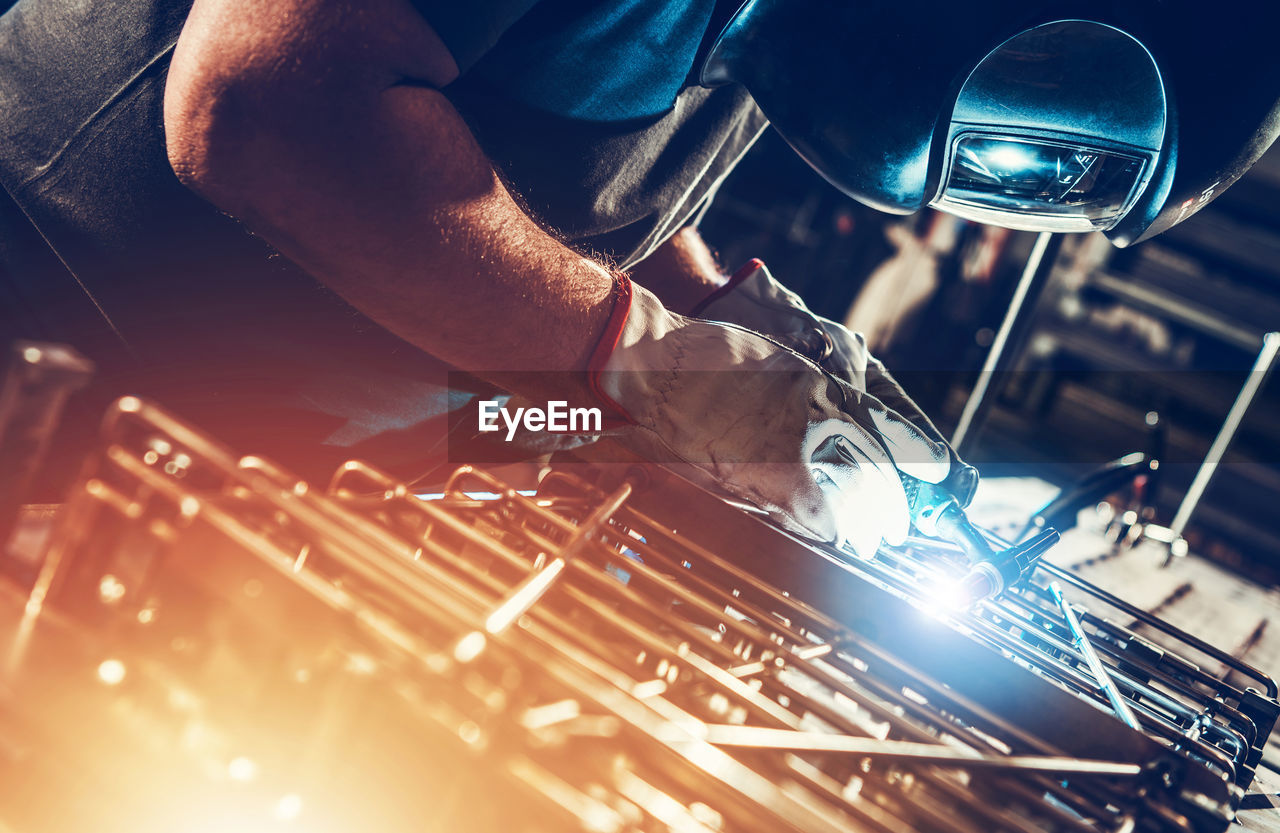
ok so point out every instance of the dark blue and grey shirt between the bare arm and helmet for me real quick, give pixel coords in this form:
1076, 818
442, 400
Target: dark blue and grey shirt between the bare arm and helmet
588, 111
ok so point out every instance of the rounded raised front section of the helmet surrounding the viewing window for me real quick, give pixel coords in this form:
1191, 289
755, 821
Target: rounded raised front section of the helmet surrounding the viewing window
1032, 143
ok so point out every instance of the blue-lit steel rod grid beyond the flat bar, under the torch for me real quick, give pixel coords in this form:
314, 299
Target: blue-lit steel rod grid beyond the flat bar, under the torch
1222, 721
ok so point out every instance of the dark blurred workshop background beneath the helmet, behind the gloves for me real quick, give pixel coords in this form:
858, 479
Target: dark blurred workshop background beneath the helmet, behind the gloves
1121, 351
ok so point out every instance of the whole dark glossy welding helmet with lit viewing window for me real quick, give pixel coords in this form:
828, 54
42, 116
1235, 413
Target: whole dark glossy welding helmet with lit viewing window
1123, 118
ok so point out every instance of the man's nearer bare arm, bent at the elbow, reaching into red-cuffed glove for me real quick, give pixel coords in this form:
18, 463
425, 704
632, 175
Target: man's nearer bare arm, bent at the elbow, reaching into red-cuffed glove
321, 126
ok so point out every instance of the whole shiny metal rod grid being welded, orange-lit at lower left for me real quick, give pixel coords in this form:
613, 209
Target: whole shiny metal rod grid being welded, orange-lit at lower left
216, 646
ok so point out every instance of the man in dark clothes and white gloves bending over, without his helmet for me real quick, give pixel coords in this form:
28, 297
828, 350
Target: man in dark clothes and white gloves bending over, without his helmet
447, 173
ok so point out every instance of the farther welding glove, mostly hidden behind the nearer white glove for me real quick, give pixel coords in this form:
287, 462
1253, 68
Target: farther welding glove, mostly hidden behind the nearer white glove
755, 300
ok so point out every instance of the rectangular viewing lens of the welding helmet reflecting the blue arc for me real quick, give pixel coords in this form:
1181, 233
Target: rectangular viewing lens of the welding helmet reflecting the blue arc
1039, 186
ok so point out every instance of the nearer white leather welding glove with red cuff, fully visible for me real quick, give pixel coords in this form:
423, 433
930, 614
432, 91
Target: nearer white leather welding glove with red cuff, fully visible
762, 423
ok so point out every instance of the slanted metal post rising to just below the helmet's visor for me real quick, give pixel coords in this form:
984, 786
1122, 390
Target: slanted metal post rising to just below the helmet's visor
1032, 283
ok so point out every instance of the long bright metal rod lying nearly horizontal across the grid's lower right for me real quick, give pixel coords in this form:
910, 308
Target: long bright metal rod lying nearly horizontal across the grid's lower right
790, 740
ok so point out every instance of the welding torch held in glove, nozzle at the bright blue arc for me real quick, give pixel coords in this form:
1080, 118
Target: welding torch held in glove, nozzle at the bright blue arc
938, 514
